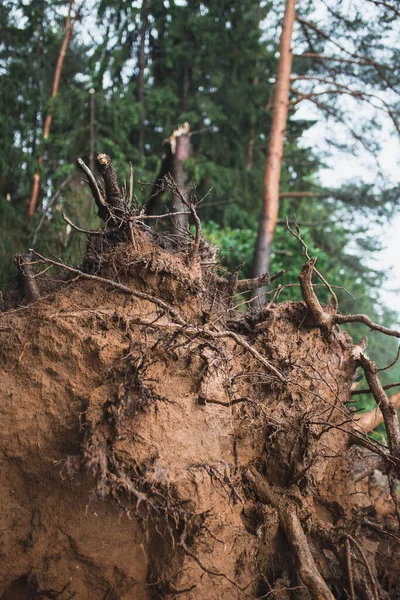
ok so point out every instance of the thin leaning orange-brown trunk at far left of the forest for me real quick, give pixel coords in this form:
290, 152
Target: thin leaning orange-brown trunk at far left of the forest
69, 26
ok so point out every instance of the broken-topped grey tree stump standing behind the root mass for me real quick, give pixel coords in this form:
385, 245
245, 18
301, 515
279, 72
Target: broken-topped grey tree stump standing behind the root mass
182, 149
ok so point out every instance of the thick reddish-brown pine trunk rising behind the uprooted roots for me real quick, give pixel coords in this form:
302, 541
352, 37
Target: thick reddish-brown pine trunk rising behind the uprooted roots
272, 172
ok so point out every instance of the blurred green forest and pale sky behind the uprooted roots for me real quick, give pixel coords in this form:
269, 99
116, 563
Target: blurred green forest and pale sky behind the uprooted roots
134, 71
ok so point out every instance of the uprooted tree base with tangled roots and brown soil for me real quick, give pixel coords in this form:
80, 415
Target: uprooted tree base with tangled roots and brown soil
157, 441
